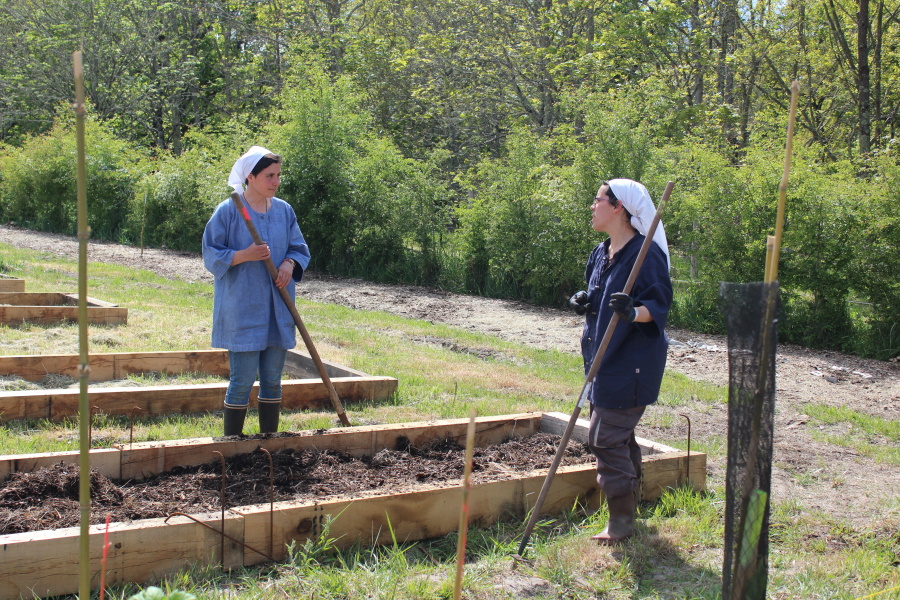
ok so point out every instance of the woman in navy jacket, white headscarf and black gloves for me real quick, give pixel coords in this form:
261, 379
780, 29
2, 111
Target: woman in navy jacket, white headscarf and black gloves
630, 375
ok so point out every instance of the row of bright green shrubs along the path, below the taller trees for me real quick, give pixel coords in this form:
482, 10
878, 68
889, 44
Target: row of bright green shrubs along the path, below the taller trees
522, 227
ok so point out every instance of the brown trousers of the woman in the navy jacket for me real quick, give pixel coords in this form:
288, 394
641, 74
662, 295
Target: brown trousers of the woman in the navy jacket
611, 440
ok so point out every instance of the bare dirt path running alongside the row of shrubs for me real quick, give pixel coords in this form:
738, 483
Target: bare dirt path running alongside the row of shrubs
819, 475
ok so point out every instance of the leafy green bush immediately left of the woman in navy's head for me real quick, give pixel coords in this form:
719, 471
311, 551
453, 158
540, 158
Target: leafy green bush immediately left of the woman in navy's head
526, 233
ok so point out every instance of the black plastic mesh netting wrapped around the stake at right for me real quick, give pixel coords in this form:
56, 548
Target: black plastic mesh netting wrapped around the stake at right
750, 312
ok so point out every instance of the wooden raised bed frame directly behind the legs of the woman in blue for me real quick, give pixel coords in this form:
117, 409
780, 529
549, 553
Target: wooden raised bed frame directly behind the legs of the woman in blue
303, 390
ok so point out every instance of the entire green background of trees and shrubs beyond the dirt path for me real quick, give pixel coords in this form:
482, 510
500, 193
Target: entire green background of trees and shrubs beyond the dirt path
460, 146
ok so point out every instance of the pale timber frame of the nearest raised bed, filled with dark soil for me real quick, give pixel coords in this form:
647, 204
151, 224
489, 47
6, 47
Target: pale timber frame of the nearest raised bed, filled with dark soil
45, 563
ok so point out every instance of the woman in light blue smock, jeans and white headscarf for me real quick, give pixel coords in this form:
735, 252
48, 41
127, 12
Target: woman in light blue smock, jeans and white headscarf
250, 318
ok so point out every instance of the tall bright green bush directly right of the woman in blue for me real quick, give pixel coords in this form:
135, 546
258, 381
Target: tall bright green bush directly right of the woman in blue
364, 209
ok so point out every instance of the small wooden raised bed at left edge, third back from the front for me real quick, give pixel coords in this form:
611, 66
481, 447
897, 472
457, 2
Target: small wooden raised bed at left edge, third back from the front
50, 308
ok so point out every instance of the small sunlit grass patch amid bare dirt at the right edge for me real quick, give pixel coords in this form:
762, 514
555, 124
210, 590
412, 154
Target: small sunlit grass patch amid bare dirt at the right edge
871, 436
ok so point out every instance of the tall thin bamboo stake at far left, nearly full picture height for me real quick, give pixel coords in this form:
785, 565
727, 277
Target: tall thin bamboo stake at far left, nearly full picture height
84, 421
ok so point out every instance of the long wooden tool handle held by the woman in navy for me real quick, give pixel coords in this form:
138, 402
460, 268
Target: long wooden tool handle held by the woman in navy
592, 372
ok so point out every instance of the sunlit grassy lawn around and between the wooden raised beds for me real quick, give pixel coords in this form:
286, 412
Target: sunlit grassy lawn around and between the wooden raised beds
443, 372
